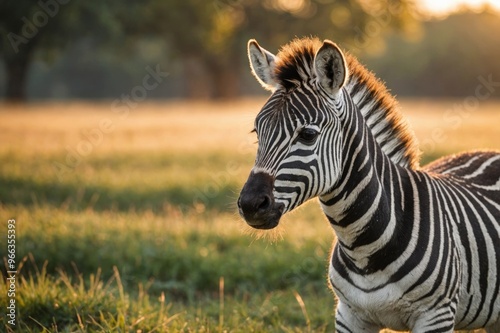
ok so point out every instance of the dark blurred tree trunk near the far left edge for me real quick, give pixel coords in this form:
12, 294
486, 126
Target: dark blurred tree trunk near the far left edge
17, 71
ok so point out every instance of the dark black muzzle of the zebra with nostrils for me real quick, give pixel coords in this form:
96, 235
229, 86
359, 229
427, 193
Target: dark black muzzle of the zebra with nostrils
256, 202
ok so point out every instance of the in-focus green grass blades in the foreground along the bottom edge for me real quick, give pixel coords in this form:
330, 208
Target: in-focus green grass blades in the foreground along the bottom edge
61, 303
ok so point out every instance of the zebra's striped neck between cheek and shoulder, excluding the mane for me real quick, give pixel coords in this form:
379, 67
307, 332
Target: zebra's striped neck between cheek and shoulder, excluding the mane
365, 205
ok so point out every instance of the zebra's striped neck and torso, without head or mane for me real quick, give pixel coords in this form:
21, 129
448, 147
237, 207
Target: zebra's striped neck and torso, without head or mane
377, 270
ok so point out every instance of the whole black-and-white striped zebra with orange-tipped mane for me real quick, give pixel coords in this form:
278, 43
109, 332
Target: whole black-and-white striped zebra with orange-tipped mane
417, 248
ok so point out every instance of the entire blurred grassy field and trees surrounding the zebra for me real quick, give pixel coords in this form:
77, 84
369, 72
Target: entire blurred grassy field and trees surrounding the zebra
125, 140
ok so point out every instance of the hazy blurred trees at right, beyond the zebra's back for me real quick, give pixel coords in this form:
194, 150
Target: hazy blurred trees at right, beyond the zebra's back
449, 60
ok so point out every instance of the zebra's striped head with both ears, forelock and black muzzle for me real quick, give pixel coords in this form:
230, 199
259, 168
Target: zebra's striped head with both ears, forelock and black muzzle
298, 129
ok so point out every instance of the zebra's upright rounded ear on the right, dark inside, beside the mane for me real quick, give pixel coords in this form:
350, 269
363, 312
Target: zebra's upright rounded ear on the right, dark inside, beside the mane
330, 67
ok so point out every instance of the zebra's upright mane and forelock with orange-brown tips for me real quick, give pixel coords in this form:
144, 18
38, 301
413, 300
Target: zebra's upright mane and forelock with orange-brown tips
294, 64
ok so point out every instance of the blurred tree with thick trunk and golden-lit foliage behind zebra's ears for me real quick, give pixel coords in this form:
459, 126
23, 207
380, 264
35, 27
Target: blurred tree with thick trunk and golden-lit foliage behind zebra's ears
210, 36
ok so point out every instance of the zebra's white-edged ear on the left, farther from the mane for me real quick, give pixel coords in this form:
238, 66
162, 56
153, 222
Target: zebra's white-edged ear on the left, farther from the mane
262, 64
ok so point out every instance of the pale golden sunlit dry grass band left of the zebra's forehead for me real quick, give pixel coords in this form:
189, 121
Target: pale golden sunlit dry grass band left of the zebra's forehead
169, 127
